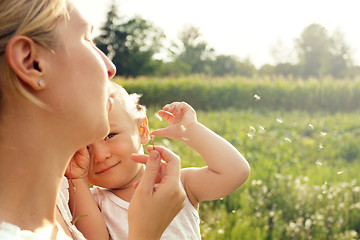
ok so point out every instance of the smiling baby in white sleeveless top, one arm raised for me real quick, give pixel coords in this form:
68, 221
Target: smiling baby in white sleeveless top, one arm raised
111, 167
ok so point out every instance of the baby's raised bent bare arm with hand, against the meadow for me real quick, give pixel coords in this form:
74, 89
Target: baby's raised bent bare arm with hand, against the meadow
226, 168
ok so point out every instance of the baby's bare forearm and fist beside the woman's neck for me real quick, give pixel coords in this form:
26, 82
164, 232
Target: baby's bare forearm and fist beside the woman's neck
83, 207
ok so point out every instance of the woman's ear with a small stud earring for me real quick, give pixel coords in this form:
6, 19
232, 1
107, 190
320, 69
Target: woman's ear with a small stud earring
22, 54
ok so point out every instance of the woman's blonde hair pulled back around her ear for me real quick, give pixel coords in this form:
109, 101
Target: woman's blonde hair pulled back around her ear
35, 19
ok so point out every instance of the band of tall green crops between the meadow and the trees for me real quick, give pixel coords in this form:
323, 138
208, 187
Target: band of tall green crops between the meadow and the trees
242, 93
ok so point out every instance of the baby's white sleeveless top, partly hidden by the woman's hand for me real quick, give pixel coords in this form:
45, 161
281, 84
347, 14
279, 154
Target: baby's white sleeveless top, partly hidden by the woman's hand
115, 212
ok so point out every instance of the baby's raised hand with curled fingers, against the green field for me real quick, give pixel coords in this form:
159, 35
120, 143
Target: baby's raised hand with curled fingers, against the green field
181, 116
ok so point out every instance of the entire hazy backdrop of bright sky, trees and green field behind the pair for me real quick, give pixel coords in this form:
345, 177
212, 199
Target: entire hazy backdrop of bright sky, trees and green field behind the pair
279, 79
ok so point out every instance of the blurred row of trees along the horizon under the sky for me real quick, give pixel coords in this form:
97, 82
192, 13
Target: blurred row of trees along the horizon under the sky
132, 45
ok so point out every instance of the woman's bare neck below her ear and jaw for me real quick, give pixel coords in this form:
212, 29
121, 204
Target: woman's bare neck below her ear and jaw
32, 163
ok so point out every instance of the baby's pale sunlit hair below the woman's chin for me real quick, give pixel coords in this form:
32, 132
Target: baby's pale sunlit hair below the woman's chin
130, 102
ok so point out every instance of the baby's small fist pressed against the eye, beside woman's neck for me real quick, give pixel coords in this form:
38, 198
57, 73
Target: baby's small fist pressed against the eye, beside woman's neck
78, 167
